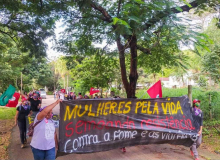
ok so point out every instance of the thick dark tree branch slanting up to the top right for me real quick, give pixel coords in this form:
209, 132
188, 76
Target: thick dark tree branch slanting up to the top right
160, 15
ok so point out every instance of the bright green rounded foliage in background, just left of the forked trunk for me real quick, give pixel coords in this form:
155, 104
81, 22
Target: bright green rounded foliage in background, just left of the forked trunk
97, 70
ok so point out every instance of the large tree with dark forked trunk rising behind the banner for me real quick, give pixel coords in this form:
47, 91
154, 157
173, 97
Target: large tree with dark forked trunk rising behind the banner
127, 22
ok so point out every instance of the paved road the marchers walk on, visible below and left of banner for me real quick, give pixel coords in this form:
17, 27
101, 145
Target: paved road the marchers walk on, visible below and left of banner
142, 152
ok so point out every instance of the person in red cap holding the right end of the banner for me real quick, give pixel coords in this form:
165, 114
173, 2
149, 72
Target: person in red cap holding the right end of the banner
198, 118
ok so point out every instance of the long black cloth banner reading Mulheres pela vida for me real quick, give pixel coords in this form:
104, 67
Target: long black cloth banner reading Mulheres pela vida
99, 125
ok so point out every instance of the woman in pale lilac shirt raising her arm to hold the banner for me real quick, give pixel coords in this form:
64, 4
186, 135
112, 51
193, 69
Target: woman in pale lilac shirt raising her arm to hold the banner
44, 137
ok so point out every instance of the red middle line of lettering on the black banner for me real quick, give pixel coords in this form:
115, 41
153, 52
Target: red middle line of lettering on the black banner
169, 122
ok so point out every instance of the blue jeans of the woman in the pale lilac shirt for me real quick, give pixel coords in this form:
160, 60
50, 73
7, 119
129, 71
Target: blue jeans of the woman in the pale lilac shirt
43, 154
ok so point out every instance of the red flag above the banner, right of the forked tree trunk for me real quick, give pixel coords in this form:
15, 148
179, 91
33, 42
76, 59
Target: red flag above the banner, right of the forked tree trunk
155, 91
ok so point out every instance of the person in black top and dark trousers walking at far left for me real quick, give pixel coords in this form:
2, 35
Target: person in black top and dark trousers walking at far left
23, 110
